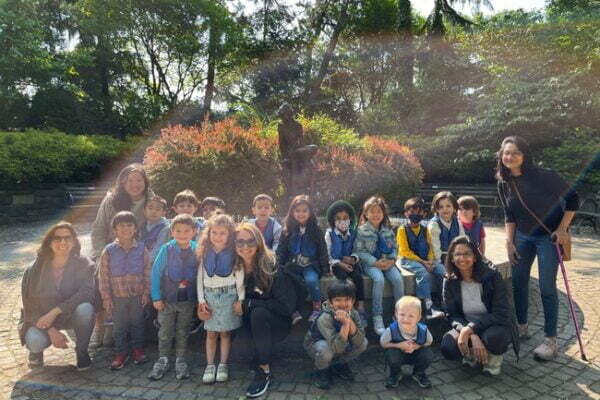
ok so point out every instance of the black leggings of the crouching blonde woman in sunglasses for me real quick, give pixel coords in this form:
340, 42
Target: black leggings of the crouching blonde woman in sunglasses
266, 329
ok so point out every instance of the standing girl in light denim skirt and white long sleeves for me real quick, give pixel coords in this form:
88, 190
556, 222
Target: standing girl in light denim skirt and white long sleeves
220, 293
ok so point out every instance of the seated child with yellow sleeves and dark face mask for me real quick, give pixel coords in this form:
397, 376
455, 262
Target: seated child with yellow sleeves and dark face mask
416, 252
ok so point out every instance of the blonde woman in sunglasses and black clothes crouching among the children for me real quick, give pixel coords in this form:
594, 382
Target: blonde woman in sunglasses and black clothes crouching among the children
270, 301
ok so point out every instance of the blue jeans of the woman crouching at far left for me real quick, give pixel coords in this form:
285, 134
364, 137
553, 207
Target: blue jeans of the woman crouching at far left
82, 321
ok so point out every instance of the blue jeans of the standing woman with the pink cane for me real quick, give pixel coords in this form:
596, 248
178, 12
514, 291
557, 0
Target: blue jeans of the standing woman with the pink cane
528, 247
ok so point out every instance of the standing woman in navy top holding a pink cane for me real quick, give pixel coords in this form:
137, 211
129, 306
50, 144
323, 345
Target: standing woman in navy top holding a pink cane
530, 194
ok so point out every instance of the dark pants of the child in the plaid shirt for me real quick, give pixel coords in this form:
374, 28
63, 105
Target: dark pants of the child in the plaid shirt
128, 318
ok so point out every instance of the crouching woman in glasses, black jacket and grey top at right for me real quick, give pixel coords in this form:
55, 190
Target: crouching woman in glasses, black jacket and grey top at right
476, 301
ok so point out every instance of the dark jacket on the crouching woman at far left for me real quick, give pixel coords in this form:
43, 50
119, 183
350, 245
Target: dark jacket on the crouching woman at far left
40, 295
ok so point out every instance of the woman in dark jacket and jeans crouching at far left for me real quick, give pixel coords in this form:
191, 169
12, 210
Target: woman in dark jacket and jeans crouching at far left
57, 291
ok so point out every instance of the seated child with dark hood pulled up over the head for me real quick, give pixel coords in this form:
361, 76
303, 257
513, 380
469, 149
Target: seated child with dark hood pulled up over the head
340, 238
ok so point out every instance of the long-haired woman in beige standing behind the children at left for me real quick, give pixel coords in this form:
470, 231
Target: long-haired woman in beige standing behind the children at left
130, 193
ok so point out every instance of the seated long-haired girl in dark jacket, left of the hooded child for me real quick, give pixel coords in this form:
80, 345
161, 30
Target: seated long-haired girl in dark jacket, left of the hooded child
302, 243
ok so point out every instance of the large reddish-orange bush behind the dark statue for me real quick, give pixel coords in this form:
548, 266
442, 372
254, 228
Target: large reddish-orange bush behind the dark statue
236, 163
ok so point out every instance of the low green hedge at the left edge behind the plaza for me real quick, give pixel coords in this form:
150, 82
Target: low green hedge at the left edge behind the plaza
34, 157
